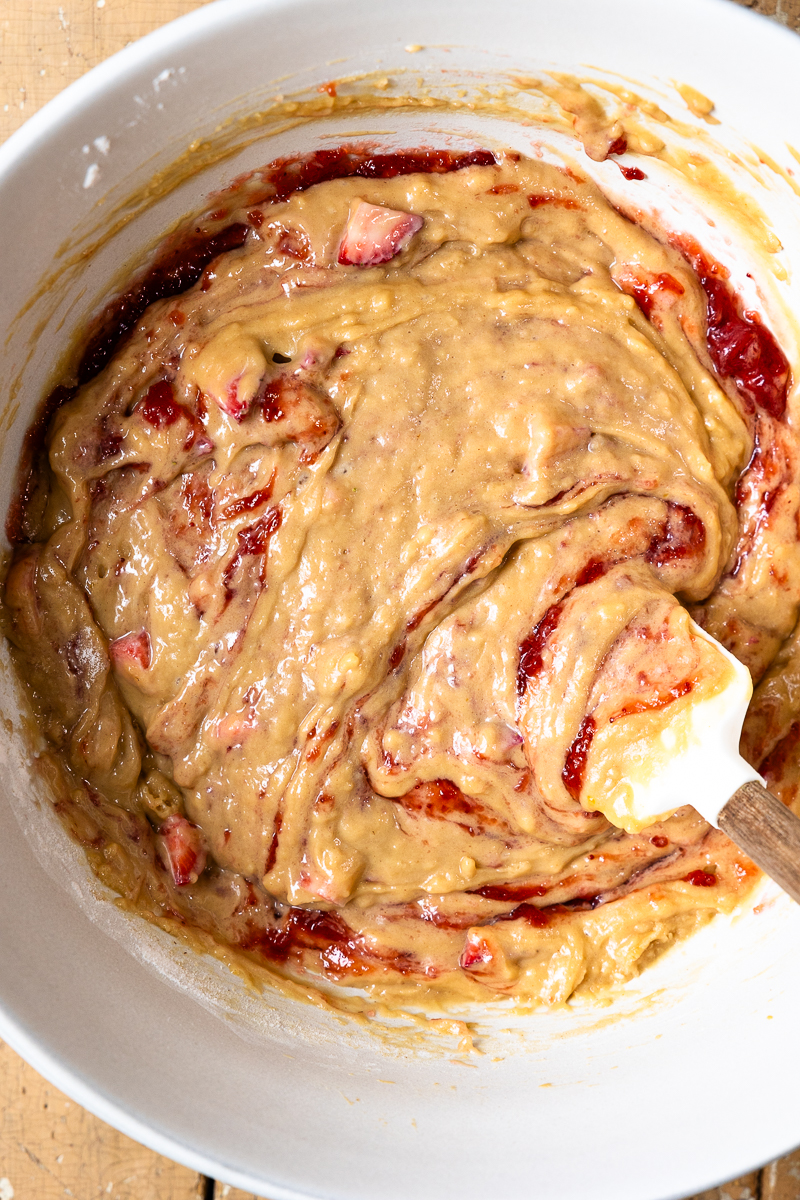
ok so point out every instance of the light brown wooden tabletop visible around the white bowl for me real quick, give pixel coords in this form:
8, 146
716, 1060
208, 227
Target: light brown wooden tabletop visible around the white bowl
51, 1149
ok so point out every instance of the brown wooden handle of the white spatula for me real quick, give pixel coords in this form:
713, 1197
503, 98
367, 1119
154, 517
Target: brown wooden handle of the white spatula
768, 832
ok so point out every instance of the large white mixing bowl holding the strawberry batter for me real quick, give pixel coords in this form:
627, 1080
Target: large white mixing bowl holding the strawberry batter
689, 1078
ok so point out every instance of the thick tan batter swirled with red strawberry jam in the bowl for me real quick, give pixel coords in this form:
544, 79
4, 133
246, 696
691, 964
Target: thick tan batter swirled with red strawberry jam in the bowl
366, 538
